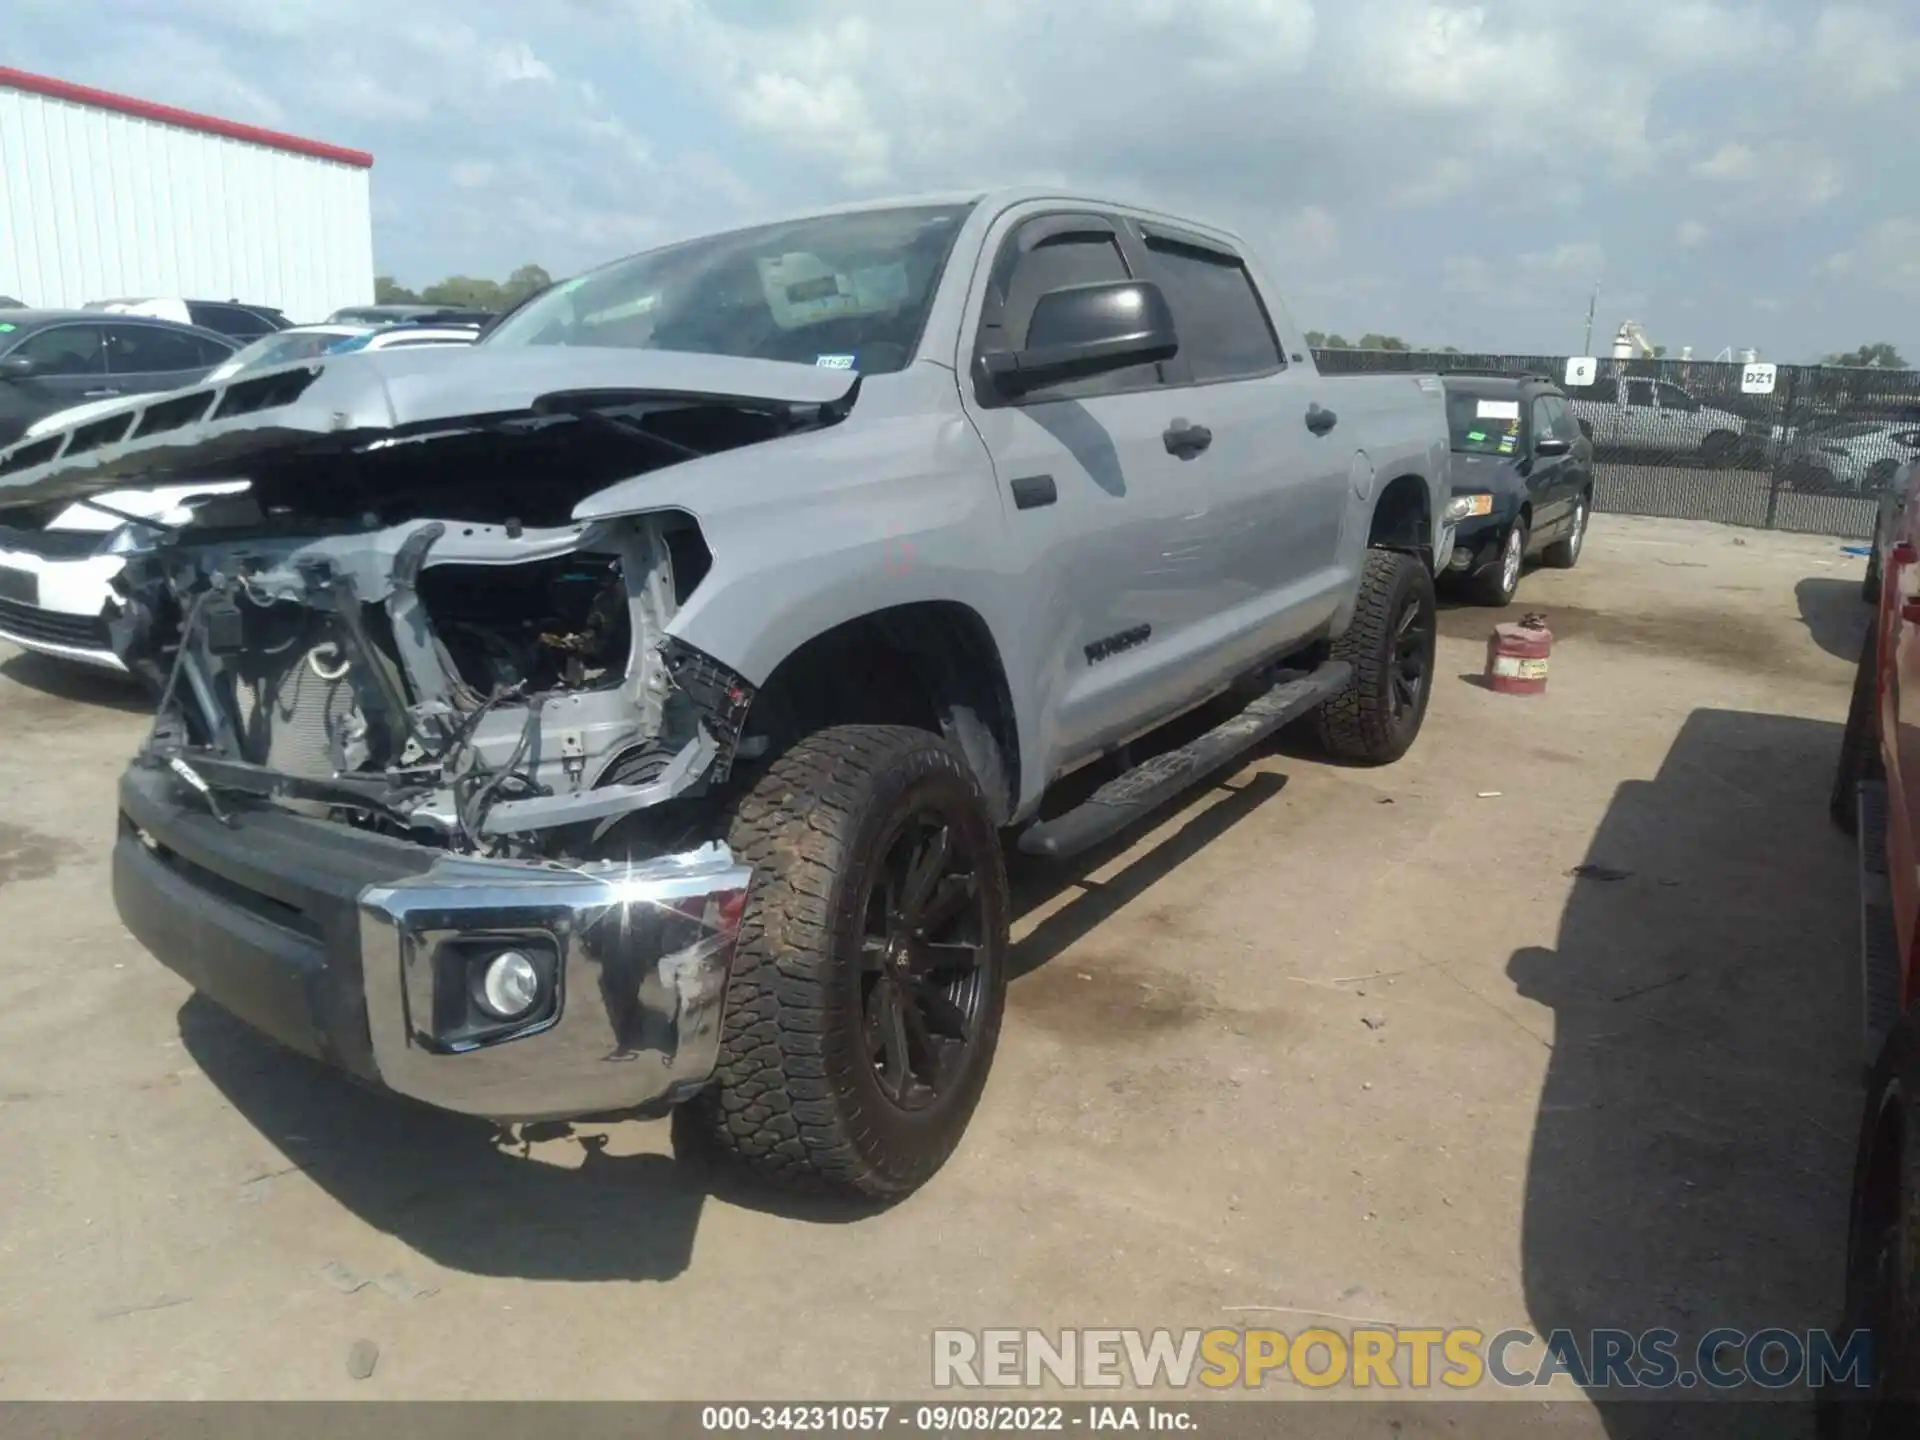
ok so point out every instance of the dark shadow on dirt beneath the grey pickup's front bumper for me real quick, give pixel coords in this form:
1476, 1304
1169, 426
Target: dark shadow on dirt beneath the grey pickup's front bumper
458, 1189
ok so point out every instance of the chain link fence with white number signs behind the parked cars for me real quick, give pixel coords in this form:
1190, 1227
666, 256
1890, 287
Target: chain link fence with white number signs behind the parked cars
1689, 441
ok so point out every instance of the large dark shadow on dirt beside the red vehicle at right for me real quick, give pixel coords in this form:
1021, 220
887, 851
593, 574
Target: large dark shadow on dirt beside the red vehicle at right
1694, 1141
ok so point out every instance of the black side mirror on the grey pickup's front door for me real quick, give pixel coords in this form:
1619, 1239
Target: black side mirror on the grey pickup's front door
1088, 329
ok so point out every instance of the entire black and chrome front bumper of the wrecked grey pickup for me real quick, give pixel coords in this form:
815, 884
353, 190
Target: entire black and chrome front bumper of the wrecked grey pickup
360, 951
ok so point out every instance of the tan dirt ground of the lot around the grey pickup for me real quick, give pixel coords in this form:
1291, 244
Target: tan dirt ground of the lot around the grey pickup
1324, 1044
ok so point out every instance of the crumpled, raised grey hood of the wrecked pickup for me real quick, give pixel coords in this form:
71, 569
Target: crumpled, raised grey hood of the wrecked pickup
347, 402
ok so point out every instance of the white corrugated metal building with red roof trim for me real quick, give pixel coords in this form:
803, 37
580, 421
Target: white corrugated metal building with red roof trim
105, 197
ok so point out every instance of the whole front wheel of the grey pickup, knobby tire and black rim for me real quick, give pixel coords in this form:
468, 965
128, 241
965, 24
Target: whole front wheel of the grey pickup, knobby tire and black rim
871, 976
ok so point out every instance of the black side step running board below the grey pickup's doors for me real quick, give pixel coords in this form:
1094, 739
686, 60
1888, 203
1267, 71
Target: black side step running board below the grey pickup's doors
1132, 796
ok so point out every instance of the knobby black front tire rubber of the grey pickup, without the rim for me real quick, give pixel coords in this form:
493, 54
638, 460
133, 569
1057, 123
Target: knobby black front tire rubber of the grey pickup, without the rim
794, 1095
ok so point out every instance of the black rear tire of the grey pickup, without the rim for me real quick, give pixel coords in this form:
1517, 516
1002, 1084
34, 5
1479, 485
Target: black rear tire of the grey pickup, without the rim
1358, 727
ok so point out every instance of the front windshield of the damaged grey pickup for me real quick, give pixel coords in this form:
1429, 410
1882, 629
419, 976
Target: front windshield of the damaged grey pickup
838, 291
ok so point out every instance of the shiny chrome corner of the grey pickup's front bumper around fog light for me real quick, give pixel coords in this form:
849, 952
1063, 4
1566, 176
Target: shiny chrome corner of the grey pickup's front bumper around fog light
642, 957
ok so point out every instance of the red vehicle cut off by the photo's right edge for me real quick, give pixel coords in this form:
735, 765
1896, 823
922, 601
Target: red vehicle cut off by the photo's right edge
1877, 798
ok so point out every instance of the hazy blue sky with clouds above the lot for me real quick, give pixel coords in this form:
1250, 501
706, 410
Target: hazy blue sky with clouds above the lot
1731, 172
